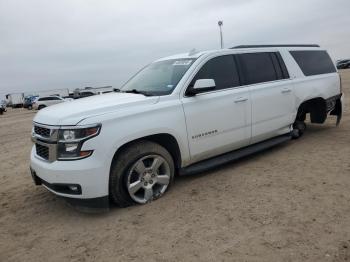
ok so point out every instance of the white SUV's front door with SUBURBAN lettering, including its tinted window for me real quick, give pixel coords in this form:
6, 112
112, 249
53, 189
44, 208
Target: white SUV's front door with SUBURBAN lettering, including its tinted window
218, 121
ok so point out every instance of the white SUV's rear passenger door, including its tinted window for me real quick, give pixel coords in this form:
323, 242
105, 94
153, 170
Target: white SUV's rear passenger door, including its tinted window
273, 103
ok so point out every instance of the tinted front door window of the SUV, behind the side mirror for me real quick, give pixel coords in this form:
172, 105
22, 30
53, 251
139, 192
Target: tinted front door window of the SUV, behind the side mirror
222, 69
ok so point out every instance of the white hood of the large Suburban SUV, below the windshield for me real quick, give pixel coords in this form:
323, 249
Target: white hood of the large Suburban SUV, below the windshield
72, 112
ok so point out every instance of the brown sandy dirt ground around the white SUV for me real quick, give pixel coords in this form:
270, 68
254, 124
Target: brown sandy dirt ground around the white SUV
290, 203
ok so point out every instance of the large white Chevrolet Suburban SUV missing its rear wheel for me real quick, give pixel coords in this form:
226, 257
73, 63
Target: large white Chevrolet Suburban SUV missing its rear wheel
179, 115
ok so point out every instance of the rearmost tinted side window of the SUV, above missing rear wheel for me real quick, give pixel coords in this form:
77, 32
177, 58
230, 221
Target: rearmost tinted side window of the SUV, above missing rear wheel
314, 62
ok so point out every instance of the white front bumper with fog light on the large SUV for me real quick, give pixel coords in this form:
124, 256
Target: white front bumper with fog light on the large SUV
88, 176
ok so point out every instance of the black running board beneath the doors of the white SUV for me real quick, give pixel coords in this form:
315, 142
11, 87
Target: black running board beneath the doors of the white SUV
232, 156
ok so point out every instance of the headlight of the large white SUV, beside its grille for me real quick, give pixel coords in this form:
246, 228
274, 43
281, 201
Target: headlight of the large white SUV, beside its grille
70, 141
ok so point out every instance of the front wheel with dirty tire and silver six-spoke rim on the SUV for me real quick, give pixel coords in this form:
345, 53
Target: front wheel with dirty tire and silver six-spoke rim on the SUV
140, 173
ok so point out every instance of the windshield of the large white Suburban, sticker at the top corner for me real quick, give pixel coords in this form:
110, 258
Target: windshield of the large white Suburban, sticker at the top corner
158, 78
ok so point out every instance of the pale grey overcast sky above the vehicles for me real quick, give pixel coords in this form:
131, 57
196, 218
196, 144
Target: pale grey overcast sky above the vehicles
76, 43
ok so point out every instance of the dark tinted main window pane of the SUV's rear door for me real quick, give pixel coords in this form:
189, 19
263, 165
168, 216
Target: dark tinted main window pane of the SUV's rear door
259, 67
